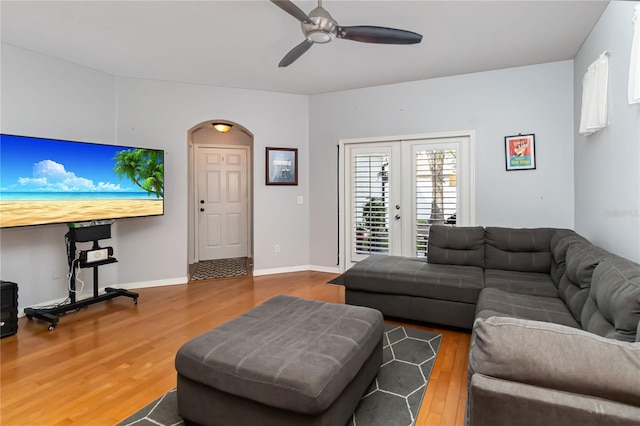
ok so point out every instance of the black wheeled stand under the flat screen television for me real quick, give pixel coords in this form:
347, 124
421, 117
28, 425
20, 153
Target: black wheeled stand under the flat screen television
52, 314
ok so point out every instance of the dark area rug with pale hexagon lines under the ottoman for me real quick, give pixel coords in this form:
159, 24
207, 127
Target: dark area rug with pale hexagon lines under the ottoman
393, 398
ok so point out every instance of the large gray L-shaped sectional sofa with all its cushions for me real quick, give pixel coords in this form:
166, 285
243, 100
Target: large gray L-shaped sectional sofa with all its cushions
555, 320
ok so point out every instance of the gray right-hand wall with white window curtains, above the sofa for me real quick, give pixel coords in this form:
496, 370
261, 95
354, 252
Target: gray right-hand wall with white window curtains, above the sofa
607, 171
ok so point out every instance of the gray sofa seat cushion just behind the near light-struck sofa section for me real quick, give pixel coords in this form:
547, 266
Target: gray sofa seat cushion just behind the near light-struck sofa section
494, 302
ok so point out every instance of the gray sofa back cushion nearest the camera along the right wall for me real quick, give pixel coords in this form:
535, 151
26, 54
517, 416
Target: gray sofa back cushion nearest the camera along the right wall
613, 306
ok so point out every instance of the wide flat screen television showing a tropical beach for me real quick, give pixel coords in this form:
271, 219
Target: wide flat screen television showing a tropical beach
44, 181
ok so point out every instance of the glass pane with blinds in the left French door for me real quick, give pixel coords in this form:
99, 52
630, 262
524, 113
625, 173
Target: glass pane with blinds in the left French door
370, 203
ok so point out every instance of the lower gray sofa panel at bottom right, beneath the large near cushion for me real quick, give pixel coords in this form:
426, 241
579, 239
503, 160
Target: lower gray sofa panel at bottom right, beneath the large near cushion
497, 402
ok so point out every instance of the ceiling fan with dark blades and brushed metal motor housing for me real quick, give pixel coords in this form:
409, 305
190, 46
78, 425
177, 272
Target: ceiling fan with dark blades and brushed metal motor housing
319, 27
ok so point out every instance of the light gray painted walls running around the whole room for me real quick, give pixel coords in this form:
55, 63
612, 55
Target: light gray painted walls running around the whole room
46, 97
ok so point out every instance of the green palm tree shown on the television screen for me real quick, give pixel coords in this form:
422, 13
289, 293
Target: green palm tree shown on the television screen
143, 167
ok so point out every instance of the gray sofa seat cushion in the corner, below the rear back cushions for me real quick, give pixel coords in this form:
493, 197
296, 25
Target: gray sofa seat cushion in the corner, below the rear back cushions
520, 282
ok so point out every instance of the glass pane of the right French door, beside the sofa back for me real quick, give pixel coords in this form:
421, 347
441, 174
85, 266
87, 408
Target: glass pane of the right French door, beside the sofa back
436, 192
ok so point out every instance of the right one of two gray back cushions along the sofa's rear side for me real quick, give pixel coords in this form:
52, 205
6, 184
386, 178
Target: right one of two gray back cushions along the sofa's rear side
524, 250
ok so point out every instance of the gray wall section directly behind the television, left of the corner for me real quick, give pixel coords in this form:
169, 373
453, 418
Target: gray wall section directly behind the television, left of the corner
46, 97
